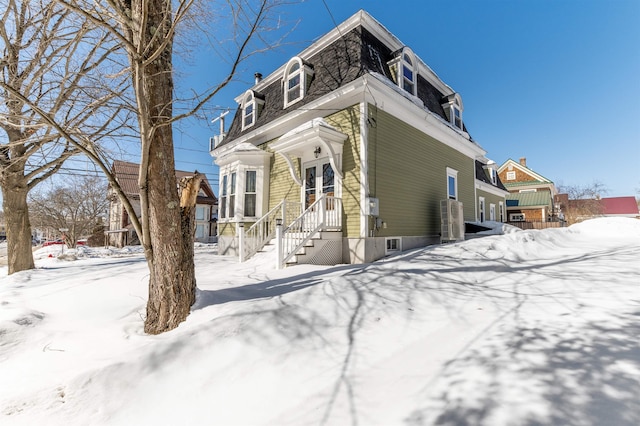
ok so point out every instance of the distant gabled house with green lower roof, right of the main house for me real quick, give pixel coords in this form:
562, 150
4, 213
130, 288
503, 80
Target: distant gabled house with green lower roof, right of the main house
530, 196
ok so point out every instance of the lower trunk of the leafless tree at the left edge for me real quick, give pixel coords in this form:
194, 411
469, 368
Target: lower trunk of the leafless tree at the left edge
16, 213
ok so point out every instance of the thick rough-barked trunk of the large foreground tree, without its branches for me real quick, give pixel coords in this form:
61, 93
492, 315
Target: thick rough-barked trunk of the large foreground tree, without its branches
169, 249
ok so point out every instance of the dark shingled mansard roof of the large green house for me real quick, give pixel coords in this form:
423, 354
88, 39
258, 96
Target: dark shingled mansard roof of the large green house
359, 46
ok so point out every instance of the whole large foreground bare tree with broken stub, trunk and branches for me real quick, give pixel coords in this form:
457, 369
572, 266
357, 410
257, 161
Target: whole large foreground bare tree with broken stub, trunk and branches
147, 29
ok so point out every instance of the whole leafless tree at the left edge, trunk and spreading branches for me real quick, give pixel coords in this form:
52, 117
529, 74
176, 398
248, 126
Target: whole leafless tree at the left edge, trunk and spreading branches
52, 64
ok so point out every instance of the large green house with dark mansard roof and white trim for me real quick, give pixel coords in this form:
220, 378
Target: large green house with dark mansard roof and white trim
357, 148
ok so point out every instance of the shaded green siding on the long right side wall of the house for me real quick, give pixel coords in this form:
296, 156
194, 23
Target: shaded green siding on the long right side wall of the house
408, 174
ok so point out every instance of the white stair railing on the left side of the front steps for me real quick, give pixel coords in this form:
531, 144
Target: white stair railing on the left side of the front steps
261, 232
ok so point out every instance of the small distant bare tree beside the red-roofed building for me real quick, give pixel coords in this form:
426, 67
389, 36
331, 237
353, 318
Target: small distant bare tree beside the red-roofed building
581, 201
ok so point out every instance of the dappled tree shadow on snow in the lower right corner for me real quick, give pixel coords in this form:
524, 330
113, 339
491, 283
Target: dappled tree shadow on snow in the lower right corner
532, 374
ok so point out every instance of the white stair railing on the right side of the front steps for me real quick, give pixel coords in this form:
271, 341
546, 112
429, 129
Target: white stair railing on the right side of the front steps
323, 215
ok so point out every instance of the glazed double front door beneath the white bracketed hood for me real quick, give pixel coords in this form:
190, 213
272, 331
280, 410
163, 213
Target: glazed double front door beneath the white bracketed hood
319, 179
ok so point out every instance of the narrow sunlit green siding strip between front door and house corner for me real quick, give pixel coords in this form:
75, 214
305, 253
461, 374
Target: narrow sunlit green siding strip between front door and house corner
348, 122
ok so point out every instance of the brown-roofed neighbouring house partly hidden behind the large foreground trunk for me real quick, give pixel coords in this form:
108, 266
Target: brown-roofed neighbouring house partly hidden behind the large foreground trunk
121, 231
